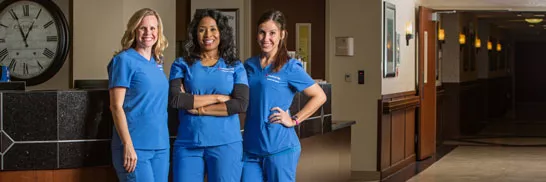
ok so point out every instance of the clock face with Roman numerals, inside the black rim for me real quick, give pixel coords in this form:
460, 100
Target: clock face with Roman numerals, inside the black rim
28, 39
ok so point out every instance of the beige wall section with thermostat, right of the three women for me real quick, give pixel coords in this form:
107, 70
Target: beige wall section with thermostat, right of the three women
351, 101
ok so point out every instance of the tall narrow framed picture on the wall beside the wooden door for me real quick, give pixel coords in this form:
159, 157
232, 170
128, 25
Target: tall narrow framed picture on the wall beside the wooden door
389, 33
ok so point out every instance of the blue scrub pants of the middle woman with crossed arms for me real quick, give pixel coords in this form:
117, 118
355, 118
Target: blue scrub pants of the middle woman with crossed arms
221, 163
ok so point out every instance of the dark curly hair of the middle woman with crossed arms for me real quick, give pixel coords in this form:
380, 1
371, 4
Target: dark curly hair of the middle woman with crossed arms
226, 49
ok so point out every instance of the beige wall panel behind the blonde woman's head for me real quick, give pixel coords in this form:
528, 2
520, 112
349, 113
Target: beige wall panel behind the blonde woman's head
97, 35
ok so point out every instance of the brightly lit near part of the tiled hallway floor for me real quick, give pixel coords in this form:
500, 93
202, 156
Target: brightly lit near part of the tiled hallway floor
487, 163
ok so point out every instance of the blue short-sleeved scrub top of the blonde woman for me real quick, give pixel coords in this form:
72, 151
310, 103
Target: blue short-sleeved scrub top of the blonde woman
146, 99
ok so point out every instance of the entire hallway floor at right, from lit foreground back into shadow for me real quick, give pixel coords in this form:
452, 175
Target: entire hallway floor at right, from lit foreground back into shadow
502, 151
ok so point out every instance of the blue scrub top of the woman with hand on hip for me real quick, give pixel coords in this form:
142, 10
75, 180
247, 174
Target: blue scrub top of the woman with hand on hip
269, 90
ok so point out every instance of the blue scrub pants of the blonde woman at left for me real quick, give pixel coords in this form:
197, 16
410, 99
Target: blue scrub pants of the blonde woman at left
152, 166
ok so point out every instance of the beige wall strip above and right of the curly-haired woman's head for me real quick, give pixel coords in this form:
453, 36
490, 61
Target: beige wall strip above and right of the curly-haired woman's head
244, 16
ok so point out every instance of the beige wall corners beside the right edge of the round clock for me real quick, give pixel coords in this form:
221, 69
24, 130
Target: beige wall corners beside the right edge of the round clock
61, 80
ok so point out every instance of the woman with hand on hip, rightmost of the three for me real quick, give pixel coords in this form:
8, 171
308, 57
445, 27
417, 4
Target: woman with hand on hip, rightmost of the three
271, 146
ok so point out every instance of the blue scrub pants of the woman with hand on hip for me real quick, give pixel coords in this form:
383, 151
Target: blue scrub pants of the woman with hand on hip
279, 167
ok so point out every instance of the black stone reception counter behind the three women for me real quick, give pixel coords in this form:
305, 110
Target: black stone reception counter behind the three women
73, 128
